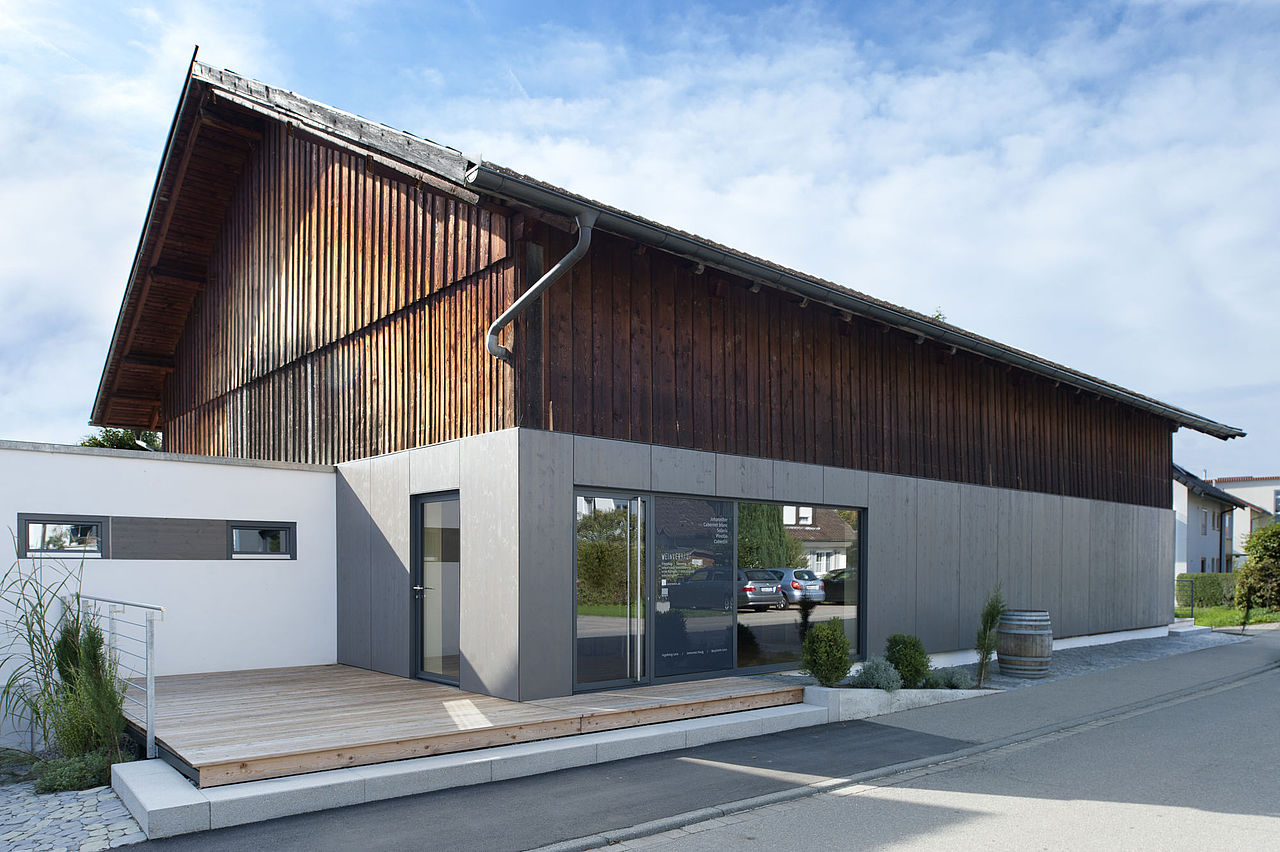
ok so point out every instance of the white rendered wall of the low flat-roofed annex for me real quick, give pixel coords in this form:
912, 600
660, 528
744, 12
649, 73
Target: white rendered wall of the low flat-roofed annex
221, 615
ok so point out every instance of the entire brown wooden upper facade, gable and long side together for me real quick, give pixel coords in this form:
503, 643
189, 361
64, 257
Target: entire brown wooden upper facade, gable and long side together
318, 305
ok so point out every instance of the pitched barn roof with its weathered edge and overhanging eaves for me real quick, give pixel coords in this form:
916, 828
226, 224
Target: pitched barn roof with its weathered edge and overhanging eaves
132, 377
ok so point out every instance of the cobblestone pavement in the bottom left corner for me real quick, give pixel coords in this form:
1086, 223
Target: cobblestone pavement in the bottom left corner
88, 821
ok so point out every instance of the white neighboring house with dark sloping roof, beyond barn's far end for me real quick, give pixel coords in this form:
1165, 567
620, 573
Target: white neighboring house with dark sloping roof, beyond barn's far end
1204, 525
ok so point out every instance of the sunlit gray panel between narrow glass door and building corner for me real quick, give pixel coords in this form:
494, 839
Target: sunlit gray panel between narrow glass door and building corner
490, 502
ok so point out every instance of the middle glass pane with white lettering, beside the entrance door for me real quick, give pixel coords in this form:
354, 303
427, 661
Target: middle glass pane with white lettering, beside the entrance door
694, 610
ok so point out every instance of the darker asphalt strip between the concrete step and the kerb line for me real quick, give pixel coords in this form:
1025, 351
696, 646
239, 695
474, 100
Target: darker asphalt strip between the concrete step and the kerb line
547, 809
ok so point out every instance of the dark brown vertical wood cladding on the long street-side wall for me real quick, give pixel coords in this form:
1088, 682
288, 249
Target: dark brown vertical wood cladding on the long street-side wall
641, 347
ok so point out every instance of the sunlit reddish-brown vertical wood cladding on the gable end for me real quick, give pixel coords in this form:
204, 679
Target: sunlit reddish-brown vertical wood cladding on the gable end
344, 317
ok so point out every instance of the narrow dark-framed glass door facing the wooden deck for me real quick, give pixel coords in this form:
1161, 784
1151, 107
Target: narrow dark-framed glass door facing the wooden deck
437, 575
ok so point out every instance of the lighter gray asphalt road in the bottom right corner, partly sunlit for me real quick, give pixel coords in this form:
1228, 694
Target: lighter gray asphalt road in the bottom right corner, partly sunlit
1194, 775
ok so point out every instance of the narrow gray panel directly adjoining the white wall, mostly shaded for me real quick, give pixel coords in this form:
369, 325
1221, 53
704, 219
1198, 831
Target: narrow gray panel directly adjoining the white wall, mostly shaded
353, 528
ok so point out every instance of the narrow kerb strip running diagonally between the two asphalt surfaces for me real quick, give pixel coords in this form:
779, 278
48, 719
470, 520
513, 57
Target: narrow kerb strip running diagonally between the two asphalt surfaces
904, 772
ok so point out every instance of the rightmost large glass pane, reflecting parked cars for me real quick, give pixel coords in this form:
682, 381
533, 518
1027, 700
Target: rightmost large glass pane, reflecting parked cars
812, 556
